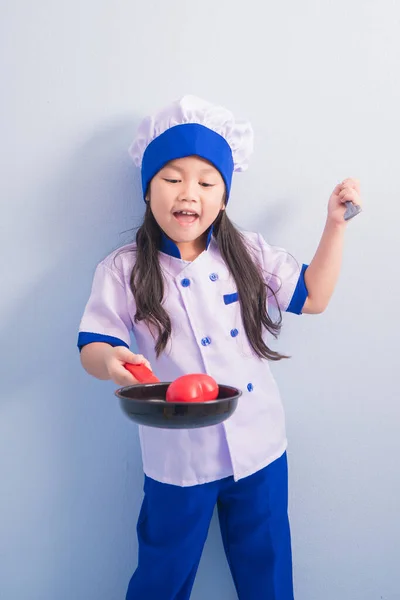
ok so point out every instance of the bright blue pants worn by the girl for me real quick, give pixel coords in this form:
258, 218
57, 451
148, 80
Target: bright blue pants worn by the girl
173, 526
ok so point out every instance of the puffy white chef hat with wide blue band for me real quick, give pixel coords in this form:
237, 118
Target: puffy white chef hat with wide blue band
192, 126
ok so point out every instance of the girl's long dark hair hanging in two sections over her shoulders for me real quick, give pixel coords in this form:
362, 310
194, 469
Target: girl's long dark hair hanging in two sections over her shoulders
147, 284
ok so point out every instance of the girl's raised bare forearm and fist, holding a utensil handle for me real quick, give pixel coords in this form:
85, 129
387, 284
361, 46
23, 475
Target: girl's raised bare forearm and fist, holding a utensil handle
322, 274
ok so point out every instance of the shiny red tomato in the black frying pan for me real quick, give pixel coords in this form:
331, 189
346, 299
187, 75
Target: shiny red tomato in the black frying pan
192, 388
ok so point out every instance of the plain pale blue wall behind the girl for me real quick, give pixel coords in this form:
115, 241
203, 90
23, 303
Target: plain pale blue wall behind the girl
319, 80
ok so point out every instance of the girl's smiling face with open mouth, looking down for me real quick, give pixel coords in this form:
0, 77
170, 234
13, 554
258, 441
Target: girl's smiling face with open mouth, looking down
186, 197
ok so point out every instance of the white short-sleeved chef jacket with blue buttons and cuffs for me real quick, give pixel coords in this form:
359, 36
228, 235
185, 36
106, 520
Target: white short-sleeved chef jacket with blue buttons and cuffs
208, 336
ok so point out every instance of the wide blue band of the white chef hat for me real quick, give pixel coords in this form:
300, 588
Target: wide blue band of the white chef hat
189, 139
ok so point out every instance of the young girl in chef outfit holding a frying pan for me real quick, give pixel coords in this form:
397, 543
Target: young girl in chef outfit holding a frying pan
197, 294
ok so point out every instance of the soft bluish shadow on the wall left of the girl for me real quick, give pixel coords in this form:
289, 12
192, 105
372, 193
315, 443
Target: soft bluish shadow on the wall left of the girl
66, 440
